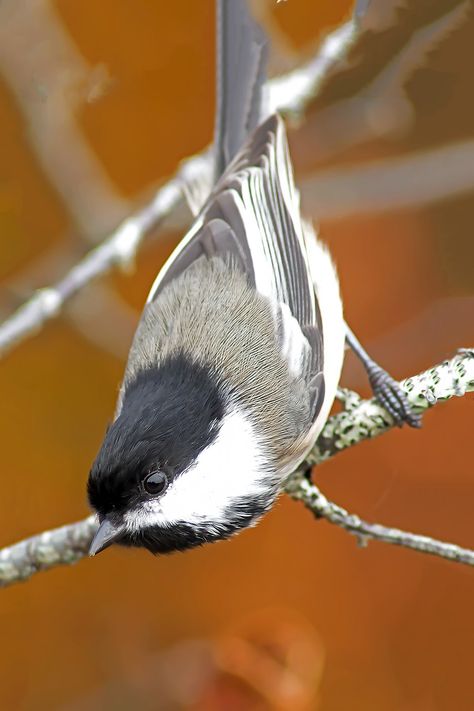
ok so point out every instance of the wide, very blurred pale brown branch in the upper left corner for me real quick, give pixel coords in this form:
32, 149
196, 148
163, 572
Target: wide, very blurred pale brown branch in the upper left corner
50, 81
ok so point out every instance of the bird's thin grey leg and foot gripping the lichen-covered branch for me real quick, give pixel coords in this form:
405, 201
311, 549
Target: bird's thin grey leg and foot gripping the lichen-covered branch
387, 391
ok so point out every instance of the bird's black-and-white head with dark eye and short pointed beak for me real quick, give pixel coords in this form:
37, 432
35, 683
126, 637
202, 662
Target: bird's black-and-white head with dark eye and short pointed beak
182, 465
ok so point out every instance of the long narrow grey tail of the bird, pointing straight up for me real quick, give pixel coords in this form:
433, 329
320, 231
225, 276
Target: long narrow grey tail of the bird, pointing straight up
241, 74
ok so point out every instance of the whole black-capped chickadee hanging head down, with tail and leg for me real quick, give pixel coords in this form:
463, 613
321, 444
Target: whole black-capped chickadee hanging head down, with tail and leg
237, 357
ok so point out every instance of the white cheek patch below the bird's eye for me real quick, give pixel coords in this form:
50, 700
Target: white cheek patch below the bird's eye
233, 466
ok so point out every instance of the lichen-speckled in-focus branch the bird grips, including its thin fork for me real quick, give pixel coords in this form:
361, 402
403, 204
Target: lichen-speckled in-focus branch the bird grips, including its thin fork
361, 420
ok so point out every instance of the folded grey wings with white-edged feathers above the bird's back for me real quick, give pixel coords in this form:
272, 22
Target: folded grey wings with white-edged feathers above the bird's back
253, 218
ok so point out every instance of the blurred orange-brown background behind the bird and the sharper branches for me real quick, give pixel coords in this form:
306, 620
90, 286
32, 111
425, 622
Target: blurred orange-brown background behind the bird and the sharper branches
99, 101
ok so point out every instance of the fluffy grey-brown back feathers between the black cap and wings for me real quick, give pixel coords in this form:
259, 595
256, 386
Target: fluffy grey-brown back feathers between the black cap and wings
213, 317
